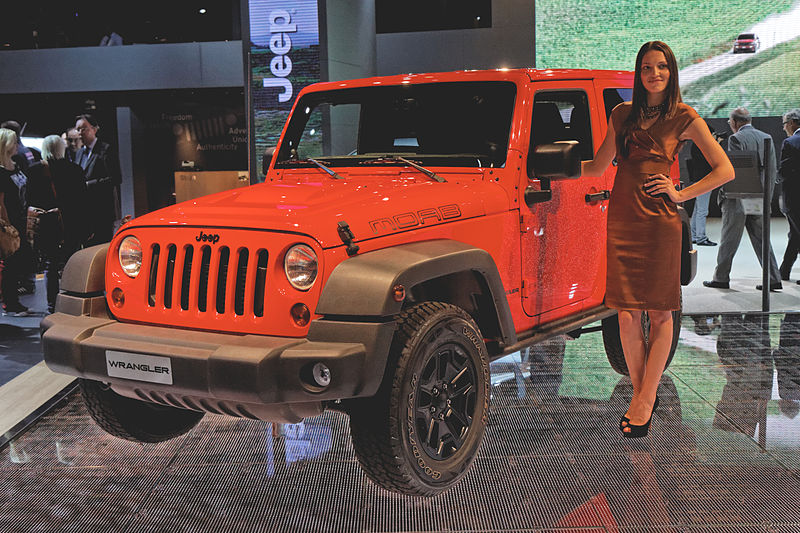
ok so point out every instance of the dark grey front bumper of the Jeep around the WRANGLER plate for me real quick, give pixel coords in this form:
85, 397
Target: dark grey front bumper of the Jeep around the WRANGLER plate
241, 375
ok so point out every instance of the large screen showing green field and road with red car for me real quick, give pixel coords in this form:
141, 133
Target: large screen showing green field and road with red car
730, 52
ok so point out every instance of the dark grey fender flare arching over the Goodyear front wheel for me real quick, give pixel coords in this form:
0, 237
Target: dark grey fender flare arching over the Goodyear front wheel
362, 285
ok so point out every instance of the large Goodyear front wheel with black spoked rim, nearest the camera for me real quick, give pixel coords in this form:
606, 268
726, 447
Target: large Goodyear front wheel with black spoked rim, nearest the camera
419, 434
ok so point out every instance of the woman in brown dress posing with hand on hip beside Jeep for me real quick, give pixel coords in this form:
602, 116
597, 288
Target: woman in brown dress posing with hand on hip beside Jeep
644, 228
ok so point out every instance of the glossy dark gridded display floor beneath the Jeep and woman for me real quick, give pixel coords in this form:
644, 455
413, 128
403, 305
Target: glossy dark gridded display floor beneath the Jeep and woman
723, 455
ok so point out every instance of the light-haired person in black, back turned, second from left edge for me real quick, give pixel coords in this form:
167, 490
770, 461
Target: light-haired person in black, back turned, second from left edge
57, 184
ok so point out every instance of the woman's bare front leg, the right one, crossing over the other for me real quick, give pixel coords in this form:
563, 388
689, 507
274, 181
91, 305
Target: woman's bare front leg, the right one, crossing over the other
660, 341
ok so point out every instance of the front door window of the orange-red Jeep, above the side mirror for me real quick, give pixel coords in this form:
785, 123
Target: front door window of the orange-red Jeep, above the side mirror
562, 116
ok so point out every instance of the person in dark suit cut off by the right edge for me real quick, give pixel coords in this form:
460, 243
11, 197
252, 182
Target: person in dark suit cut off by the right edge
790, 193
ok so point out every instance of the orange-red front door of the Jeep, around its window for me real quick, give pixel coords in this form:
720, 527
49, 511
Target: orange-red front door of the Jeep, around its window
563, 239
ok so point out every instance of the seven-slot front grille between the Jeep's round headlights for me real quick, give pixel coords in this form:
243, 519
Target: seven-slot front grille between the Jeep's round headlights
188, 276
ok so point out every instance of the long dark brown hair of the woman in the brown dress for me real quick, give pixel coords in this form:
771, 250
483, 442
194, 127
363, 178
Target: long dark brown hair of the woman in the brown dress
639, 100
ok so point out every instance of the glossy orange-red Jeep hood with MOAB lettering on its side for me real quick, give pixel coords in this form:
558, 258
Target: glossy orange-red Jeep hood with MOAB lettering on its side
380, 203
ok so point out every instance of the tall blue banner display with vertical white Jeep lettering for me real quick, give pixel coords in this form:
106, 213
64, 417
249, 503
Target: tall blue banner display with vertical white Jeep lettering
284, 58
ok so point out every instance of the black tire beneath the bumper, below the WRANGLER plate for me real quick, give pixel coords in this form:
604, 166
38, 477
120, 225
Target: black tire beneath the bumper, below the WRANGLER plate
135, 420
